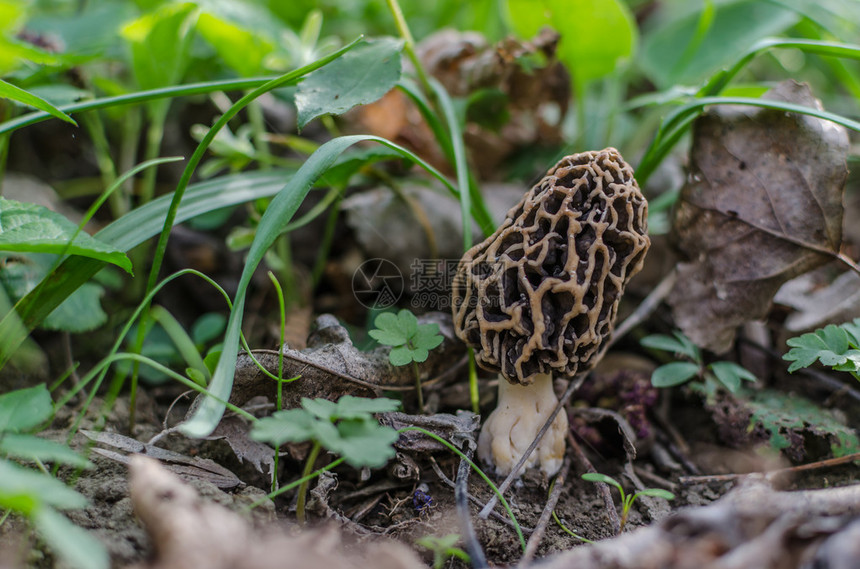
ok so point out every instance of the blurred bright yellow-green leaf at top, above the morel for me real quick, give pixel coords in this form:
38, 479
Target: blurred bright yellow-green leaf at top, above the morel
595, 36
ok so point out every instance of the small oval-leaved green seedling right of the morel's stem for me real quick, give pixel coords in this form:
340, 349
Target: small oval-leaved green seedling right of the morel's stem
725, 373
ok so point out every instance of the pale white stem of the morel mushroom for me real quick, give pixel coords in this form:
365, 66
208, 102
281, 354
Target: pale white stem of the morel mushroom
509, 430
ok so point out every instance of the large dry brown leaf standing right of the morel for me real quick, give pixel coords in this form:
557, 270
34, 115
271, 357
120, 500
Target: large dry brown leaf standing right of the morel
763, 204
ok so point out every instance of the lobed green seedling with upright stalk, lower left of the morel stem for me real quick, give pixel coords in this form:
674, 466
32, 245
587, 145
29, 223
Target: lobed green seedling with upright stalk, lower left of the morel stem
347, 428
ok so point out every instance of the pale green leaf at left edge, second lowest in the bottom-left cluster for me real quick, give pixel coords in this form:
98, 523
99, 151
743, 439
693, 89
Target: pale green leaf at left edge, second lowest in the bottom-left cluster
17, 481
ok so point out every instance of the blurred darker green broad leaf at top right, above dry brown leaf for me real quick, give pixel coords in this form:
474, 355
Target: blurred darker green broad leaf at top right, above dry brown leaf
736, 24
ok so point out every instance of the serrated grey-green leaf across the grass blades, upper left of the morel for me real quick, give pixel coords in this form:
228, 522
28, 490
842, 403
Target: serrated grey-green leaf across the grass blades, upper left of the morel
361, 76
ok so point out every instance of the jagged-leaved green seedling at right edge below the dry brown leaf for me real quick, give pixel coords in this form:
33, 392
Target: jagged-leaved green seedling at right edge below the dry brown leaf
837, 347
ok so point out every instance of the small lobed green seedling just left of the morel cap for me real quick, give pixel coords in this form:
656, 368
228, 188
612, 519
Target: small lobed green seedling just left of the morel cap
411, 342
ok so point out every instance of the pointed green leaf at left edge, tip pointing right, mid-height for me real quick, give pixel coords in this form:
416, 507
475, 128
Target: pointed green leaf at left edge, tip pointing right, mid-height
27, 227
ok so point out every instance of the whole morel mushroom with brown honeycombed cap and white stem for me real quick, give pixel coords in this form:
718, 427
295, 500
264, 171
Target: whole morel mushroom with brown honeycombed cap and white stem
539, 296
